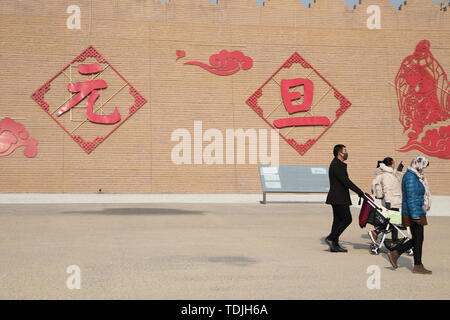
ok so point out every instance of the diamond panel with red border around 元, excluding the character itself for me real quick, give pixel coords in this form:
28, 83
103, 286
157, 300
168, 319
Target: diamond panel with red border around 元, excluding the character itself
95, 133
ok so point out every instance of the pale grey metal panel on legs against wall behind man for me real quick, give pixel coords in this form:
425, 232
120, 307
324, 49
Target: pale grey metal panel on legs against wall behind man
294, 179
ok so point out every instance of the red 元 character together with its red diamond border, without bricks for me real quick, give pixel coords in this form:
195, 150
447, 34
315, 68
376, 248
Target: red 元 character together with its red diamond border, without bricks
89, 89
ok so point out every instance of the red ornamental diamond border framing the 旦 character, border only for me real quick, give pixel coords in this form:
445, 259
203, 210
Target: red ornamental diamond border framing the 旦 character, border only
252, 101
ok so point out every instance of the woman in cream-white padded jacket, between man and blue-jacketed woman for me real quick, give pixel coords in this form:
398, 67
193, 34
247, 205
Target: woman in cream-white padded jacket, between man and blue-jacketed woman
387, 186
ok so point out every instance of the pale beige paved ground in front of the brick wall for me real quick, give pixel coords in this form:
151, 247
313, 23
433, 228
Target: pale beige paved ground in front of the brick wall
202, 251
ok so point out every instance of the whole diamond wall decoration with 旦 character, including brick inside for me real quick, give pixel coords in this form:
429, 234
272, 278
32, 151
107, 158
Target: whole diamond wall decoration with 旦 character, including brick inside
267, 101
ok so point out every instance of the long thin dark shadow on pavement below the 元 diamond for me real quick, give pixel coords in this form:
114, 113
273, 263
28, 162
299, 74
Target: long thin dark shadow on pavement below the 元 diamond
137, 211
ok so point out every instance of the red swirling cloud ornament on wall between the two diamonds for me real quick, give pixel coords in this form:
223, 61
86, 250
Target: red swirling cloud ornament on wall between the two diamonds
225, 63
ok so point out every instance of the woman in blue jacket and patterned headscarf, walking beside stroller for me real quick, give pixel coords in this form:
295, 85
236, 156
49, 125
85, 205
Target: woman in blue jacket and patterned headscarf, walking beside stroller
415, 204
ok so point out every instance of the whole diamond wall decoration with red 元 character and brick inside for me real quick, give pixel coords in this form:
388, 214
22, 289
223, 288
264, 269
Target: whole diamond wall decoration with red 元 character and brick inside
82, 80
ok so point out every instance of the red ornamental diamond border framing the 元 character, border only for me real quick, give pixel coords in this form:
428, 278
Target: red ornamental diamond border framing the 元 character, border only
88, 146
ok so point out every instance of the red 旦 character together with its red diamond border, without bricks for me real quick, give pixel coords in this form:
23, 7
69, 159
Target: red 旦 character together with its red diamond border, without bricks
306, 98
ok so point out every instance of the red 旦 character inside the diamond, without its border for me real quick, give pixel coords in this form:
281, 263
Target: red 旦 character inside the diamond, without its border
289, 96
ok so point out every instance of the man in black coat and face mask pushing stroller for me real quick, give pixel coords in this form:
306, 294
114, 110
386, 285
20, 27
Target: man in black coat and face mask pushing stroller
339, 197
